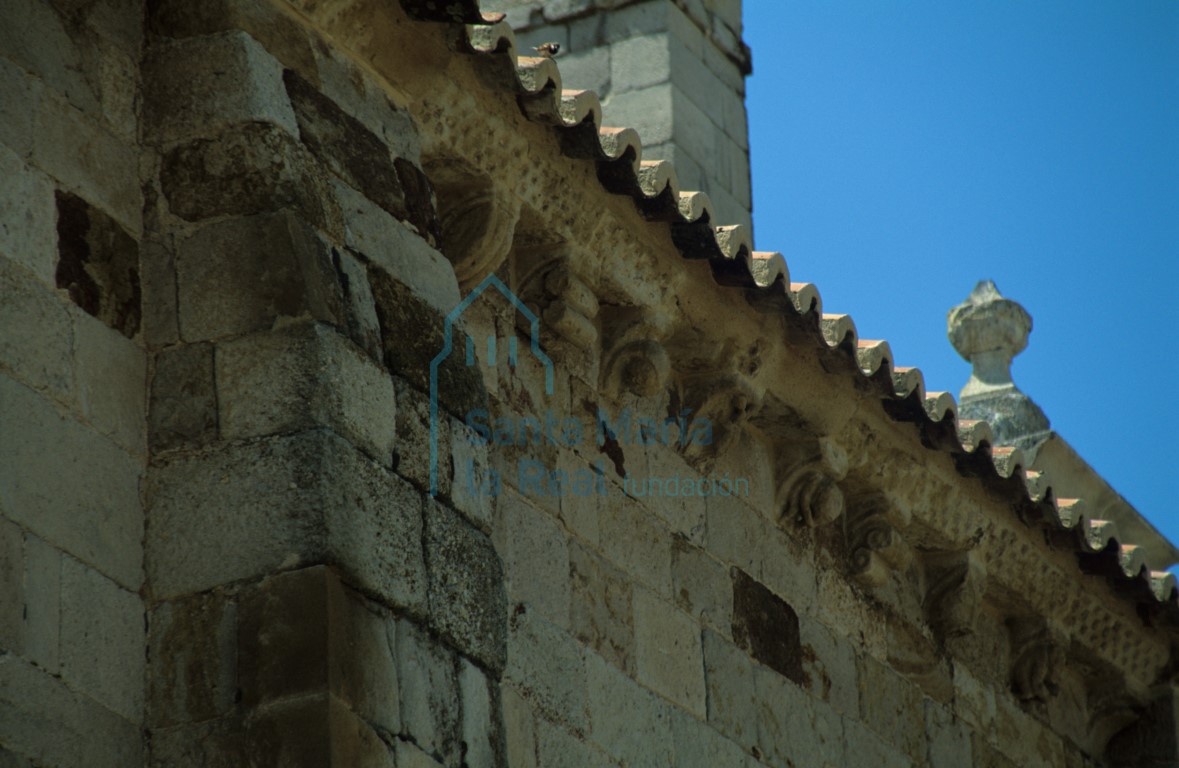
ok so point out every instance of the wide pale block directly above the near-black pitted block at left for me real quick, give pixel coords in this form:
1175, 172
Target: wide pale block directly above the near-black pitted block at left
89, 161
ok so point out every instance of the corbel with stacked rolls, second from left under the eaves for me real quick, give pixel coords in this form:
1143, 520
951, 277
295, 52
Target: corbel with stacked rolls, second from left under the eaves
567, 306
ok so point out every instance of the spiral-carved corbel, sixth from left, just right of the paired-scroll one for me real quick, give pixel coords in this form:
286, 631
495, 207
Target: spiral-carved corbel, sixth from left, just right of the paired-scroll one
875, 541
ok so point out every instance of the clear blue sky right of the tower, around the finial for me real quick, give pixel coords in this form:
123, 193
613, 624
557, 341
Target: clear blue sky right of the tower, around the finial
903, 152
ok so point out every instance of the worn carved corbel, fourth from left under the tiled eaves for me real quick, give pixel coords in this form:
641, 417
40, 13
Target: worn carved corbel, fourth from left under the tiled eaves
721, 406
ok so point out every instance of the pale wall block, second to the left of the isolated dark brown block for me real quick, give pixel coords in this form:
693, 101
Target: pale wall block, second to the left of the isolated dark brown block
637, 542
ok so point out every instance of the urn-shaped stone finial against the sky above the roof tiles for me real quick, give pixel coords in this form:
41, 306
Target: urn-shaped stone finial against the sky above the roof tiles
990, 331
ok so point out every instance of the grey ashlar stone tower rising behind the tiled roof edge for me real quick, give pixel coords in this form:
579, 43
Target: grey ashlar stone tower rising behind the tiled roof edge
675, 70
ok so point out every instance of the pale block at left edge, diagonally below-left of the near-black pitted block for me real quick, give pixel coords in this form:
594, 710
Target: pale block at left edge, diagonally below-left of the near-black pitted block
38, 342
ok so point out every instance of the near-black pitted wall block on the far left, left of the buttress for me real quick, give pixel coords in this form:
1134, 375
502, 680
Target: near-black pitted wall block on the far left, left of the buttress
98, 265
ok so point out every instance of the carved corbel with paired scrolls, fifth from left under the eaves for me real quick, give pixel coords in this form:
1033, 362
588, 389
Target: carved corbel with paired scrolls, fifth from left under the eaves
808, 493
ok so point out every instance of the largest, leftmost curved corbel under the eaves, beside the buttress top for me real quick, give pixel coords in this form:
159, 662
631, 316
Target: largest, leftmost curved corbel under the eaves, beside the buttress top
478, 221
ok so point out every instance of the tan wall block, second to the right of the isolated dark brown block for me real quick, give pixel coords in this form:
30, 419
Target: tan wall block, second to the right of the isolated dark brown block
892, 706
